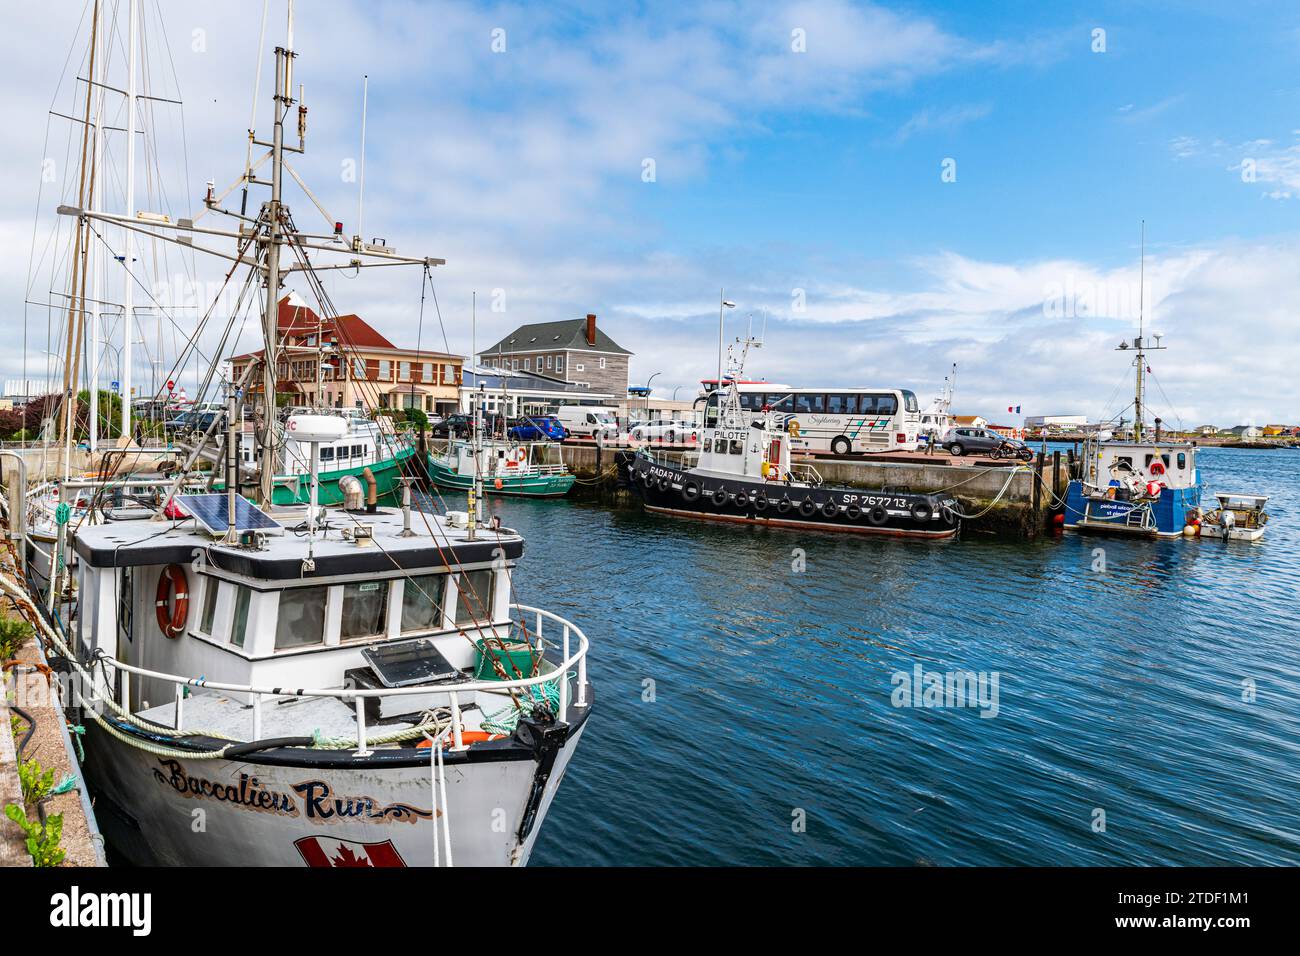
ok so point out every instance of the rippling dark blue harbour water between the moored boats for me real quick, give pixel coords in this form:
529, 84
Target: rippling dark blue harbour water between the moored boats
740, 697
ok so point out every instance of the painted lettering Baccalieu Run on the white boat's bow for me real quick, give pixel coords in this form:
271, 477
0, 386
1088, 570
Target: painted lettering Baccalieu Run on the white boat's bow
315, 801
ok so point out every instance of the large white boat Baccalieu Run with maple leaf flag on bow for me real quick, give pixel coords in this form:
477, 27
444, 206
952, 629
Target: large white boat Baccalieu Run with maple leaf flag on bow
300, 685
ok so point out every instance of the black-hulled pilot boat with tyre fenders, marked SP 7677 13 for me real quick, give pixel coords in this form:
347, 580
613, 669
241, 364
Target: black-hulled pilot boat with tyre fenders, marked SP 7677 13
743, 474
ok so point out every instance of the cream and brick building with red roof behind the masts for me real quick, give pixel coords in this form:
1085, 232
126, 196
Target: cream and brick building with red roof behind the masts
372, 371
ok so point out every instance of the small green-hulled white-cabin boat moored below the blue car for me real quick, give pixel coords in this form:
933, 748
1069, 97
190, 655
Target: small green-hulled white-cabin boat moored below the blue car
509, 469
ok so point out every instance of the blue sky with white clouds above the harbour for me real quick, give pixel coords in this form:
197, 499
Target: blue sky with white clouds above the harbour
781, 171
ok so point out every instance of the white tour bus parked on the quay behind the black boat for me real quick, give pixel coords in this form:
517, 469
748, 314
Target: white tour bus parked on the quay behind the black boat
838, 421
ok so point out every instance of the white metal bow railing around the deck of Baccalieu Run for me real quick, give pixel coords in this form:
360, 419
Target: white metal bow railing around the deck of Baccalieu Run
571, 659
